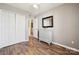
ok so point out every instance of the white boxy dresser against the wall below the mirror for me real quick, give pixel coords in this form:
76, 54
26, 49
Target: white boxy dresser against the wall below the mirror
46, 35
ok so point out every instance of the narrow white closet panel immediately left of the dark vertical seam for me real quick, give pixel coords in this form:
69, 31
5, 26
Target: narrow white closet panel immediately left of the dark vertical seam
11, 28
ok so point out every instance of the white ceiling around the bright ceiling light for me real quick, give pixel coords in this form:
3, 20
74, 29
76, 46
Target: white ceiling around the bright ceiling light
29, 7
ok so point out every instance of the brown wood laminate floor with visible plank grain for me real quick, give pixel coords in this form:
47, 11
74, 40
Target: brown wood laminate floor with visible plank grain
34, 47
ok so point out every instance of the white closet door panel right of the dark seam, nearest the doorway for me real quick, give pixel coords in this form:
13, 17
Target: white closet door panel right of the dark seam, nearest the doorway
20, 27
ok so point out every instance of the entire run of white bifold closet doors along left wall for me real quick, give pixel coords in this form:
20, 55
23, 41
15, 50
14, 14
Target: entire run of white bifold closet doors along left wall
12, 28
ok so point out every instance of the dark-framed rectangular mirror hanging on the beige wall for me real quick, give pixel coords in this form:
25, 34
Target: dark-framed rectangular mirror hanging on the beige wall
47, 22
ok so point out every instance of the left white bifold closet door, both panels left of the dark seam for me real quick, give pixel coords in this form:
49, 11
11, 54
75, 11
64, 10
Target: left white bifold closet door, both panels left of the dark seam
7, 28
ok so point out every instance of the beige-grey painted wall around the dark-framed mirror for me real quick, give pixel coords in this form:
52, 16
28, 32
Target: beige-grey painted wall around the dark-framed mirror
66, 24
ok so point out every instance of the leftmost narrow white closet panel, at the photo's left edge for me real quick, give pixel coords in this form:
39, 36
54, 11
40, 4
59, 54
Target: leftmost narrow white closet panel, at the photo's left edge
4, 28
